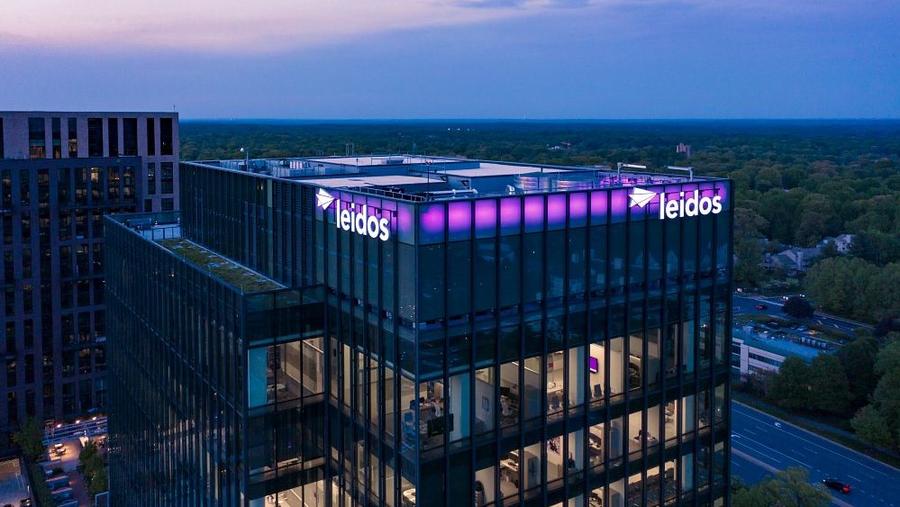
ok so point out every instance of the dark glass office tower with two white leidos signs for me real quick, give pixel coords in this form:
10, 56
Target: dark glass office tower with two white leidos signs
422, 331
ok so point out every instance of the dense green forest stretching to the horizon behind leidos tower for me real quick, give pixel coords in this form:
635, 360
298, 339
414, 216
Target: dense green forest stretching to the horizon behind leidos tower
797, 181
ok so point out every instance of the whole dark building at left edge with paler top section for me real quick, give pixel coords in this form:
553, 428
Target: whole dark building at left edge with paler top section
60, 172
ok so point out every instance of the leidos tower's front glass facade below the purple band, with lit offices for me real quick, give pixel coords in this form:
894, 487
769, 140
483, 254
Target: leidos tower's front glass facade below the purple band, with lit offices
520, 398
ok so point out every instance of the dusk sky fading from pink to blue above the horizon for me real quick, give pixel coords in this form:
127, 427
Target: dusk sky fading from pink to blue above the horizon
455, 58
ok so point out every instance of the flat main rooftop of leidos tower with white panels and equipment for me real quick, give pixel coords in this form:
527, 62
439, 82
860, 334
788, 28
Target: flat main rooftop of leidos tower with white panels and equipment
421, 178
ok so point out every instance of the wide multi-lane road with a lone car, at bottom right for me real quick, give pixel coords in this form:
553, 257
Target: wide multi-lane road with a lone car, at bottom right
762, 444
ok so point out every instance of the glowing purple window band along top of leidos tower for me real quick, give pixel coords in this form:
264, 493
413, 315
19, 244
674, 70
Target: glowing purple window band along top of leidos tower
516, 214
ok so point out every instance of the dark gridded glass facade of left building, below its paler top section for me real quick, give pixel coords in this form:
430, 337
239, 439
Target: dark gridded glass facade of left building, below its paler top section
53, 298
